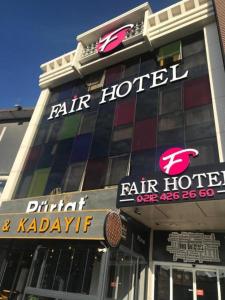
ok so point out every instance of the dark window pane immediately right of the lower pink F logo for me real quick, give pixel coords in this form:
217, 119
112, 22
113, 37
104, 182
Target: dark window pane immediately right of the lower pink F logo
208, 152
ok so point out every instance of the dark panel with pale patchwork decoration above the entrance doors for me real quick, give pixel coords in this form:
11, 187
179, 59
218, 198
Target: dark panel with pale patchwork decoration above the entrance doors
189, 247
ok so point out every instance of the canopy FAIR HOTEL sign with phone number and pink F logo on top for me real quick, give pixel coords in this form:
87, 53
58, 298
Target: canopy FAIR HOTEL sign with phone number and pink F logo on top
176, 182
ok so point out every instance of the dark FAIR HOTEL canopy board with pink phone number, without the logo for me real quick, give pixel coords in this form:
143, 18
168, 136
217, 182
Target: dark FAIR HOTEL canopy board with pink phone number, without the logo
198, 184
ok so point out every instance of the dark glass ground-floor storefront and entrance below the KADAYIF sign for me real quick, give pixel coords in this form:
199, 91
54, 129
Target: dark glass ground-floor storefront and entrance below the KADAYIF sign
159, 265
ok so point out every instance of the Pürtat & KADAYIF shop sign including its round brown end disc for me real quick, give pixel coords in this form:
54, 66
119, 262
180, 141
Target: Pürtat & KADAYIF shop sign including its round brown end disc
59, 218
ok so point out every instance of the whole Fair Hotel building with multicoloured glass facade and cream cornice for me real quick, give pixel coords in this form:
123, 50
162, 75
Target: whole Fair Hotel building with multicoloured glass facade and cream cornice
117, 191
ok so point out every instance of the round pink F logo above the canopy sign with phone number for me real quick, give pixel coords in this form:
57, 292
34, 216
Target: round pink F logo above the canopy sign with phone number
176, 160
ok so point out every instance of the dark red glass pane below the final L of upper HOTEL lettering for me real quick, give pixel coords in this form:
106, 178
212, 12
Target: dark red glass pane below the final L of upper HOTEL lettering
197, 92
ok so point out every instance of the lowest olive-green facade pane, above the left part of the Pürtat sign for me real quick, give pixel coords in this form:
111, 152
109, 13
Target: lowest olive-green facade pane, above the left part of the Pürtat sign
38, 182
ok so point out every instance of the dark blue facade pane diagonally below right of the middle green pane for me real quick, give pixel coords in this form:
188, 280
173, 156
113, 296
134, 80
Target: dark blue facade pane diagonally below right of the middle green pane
81, 147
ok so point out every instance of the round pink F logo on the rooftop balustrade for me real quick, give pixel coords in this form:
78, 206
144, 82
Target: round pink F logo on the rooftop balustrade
113, 39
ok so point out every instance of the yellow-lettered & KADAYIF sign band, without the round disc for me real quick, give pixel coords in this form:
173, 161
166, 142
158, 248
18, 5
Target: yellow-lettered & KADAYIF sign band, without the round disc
54, 225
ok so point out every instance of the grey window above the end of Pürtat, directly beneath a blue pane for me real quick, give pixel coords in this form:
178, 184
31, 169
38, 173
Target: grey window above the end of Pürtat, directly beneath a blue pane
73, 177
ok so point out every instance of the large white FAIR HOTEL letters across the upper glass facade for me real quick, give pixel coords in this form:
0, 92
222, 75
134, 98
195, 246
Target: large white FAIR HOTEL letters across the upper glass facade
117, 91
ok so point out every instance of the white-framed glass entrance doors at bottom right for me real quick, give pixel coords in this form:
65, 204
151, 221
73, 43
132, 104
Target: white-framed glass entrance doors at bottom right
188, 282
